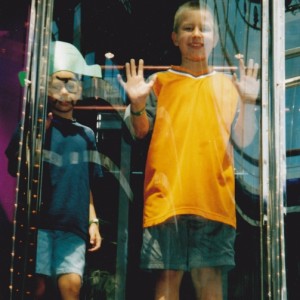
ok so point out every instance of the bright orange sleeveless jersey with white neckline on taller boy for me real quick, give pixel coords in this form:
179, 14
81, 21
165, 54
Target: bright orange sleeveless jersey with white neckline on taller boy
189, 167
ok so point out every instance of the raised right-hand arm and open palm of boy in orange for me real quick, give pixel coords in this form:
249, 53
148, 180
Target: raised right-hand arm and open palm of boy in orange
248, 87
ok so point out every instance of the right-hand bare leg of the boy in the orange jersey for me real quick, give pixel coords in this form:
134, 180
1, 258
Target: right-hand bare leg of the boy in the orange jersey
207, 283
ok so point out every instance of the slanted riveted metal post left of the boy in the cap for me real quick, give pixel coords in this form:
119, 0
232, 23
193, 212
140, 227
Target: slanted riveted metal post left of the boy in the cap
30, 154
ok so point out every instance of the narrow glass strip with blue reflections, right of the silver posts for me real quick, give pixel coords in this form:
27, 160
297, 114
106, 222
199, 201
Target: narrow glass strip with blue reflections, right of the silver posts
292, 55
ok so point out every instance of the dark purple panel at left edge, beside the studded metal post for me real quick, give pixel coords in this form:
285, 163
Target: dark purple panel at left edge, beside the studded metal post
11, 62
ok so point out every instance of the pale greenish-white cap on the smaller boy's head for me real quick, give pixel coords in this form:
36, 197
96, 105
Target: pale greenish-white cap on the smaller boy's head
66, 57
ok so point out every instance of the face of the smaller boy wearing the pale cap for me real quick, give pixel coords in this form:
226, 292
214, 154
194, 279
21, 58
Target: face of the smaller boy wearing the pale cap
63, 92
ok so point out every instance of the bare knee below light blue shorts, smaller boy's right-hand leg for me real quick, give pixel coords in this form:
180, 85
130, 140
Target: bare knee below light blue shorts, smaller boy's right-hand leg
69, 286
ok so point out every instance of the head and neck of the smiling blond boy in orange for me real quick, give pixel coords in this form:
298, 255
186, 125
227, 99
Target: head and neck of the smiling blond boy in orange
195, 34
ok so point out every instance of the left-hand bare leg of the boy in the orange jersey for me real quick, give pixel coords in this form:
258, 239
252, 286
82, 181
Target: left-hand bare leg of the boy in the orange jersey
168, 285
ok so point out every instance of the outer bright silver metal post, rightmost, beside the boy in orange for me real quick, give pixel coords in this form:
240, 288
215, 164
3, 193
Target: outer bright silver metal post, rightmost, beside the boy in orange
277, 155
